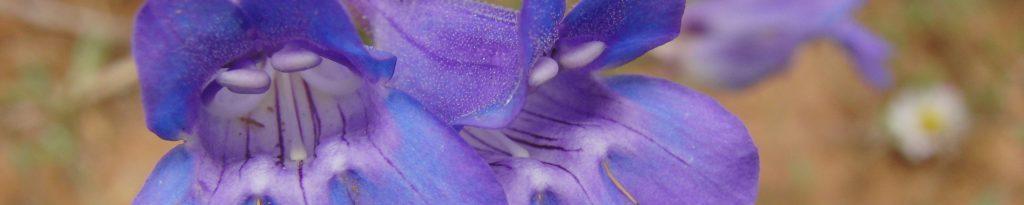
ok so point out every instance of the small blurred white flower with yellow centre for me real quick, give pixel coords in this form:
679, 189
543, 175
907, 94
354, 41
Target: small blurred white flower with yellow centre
927, 120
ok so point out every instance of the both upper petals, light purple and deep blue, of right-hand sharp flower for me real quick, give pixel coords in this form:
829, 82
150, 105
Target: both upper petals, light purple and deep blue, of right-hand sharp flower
490, 95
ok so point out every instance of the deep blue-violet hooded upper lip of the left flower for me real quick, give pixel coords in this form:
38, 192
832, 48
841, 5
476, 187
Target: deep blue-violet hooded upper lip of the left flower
181, 46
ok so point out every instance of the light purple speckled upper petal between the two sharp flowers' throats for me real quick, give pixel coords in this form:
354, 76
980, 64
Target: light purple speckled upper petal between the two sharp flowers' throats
466, 61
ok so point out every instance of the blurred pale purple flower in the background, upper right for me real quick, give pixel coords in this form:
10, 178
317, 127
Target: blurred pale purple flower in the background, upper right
736, 44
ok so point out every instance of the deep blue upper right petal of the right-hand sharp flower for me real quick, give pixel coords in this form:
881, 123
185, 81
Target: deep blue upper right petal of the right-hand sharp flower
629, 28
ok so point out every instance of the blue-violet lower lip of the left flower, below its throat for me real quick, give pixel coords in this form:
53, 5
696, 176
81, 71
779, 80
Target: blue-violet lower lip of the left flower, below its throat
392, 151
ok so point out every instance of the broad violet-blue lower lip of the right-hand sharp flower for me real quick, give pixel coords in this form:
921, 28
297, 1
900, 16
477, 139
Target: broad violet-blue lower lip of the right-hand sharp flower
623, 140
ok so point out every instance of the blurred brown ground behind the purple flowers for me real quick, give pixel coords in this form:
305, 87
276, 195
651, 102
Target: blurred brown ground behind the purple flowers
72, 130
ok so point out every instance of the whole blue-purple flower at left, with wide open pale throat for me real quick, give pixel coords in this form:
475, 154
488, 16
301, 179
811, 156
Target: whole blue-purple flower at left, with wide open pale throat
279, 101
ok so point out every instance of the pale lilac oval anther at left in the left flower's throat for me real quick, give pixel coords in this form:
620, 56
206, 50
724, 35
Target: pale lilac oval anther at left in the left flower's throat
245, 81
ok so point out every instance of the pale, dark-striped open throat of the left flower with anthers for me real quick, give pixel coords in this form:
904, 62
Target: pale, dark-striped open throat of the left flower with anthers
279, 106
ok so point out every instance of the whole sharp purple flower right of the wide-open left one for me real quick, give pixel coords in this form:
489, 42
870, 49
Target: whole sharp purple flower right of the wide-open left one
553, 131
